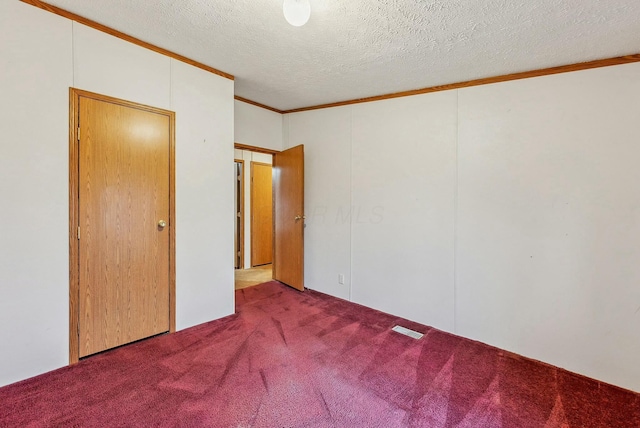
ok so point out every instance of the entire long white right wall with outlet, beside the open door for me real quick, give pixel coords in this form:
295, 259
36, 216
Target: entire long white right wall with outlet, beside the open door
511, 213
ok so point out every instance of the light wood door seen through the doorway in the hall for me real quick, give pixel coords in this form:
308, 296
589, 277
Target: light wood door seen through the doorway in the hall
261, 214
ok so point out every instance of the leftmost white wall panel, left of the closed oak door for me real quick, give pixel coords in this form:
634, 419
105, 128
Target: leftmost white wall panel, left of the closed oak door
36, 73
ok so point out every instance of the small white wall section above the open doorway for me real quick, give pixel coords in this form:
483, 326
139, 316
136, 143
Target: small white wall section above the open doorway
256, 126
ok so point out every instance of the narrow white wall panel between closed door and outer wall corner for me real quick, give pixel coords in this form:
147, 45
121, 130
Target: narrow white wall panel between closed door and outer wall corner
203, 103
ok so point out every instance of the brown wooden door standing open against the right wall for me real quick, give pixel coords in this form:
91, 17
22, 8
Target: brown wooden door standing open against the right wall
288, 188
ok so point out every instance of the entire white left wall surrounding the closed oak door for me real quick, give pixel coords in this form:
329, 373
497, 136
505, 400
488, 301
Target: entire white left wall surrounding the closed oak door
42, 56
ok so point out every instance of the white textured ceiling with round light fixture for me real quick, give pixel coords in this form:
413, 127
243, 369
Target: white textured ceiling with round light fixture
360, 48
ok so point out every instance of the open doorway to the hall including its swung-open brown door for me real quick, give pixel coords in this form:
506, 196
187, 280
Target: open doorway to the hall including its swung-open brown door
281, 222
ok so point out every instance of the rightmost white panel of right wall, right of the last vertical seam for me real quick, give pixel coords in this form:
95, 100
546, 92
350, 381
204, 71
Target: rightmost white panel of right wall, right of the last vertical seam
548, 262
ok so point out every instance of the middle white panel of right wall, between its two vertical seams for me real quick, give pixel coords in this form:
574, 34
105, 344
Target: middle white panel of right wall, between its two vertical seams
402, 219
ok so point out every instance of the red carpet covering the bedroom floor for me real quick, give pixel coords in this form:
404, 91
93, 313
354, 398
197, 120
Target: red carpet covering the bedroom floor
291, 359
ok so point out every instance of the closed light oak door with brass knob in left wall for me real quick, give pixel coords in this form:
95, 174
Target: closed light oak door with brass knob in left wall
123, 187
